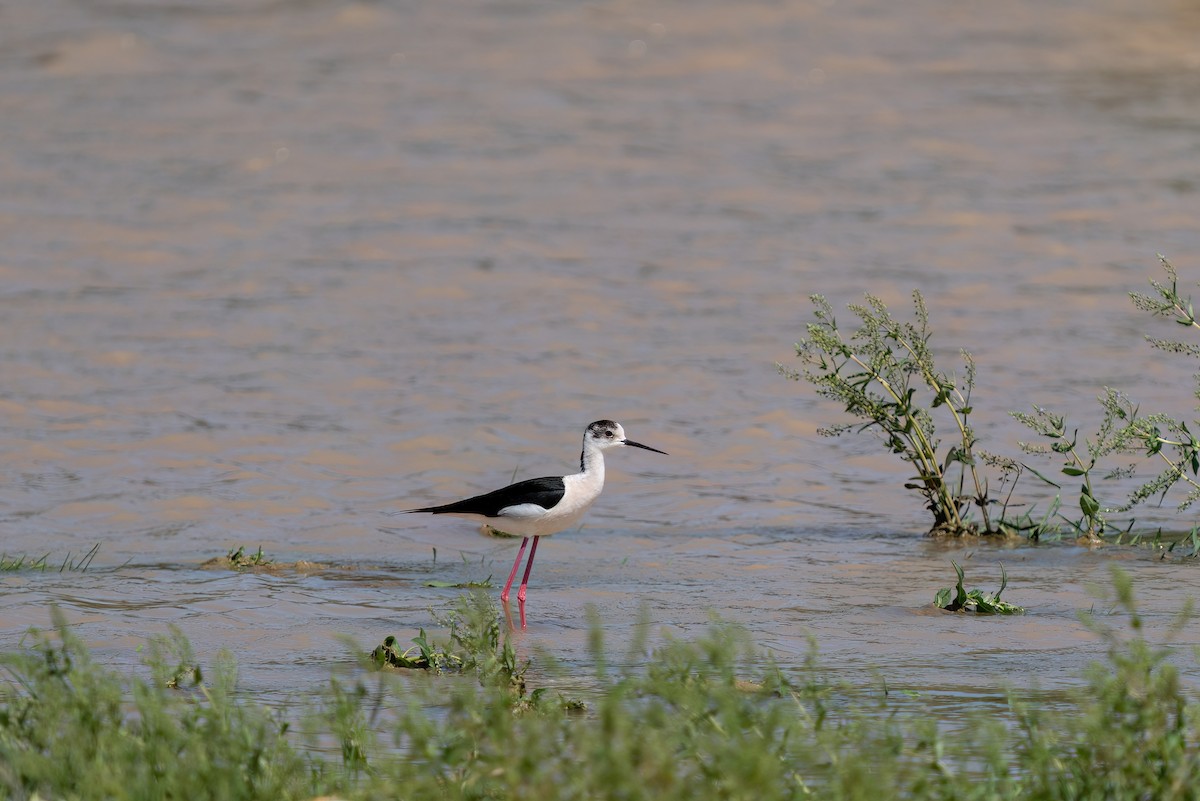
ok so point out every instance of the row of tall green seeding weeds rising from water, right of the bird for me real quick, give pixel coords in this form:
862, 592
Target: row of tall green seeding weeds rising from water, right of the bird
884, 375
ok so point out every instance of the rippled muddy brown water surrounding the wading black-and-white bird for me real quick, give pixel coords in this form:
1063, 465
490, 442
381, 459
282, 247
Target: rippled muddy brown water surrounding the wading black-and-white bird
271, 270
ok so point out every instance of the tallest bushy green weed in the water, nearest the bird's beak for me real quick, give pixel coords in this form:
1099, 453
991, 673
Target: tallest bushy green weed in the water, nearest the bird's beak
884, 374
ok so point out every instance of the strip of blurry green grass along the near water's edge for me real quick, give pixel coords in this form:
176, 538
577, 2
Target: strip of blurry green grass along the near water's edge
712, 718
